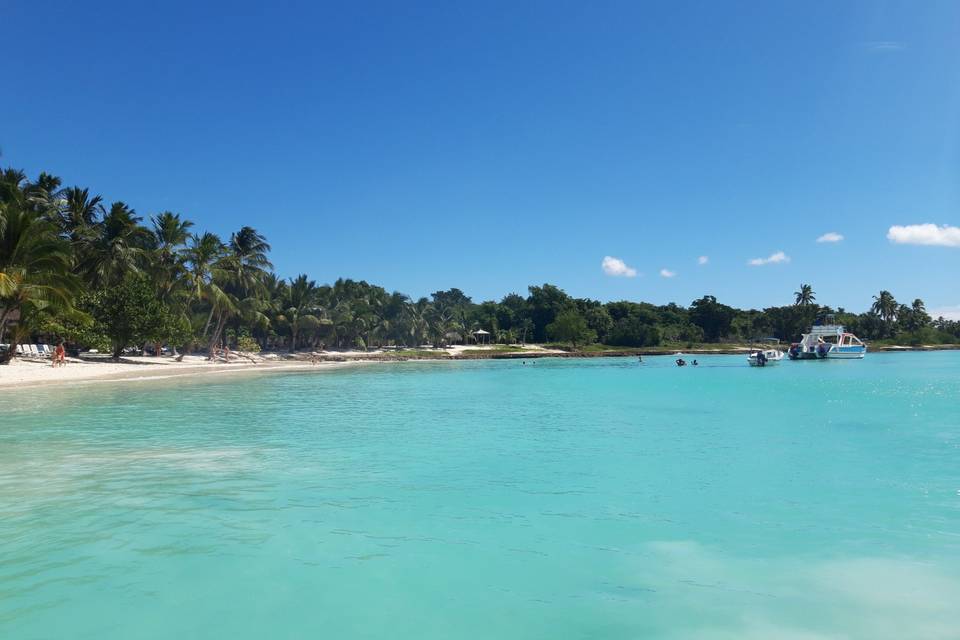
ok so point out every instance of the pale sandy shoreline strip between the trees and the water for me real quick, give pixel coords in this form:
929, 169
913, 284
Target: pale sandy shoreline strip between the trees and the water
25, 374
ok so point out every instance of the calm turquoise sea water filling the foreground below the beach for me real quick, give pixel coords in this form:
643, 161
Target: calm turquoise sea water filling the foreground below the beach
563, 499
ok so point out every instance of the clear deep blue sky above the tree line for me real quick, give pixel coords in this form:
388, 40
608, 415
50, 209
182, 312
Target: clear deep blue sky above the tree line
494, 145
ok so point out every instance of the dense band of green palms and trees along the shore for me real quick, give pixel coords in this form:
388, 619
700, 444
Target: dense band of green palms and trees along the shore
98, 275
